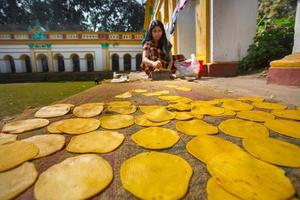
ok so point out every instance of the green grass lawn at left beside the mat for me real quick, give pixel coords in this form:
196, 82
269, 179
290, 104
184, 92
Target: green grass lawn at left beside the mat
14, 98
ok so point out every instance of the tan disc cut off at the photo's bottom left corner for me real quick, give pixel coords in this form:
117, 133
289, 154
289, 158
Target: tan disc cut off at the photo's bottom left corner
17, 180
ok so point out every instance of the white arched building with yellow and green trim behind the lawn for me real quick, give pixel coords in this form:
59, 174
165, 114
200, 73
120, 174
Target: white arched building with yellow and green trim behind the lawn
41, 51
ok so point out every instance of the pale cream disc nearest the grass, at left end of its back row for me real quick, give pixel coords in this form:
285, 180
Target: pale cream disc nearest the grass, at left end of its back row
55, 110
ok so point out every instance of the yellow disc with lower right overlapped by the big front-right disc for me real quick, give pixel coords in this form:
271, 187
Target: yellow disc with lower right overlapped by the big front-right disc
205, 147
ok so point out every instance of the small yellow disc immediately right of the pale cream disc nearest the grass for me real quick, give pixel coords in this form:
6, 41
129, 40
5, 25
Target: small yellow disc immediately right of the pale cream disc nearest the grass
88, 110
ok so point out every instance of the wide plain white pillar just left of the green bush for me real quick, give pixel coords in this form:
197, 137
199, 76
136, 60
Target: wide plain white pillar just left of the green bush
233, 27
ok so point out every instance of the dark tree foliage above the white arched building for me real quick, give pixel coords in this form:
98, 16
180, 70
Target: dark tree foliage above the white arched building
73, 15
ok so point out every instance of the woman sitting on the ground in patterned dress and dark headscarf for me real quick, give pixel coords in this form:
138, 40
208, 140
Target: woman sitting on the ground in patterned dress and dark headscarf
156, 49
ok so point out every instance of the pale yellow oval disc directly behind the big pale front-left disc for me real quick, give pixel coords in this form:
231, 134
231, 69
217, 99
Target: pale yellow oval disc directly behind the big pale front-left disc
96, 142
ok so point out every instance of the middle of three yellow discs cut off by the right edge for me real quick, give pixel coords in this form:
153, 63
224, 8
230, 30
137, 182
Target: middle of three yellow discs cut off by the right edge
284, 127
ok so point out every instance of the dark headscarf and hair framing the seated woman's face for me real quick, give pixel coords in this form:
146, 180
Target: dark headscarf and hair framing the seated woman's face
163, 43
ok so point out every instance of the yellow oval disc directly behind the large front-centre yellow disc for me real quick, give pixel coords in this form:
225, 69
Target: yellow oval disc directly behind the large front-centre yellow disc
155, 138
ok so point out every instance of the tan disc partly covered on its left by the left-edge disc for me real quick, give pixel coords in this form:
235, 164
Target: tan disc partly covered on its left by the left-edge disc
47, 143
